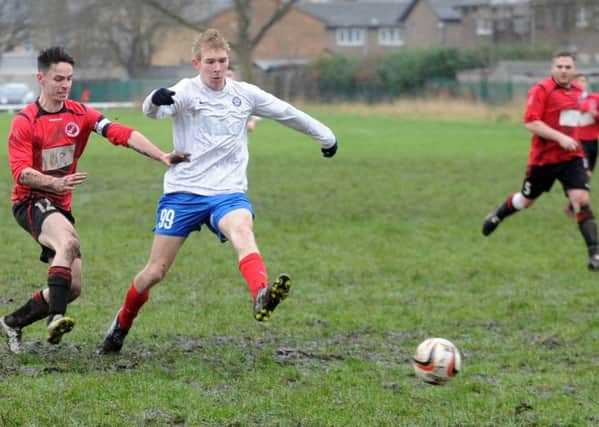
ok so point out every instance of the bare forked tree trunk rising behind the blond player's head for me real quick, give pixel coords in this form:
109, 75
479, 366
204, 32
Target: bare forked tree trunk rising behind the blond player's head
247, 38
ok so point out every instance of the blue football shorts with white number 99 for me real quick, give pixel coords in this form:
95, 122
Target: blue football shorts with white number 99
179, 214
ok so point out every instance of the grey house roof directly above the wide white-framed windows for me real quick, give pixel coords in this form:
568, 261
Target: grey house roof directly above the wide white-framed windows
364, 14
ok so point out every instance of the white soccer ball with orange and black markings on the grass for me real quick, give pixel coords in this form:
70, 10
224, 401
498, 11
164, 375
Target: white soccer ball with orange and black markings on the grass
437, 360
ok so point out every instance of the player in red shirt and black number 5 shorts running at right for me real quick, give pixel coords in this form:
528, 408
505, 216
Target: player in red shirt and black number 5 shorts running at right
553, 115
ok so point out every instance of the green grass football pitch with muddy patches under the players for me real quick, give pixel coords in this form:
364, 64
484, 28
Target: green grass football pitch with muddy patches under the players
384, 246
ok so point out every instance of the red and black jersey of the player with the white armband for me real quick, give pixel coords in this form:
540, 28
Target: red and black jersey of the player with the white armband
52, 143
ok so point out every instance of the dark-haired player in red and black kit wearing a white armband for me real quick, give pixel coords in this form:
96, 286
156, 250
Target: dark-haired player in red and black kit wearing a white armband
46, 140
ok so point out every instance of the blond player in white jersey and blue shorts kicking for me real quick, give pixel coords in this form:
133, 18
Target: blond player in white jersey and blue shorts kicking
210, 114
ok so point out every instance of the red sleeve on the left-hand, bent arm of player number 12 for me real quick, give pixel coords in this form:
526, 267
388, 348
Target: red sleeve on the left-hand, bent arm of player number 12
20, 146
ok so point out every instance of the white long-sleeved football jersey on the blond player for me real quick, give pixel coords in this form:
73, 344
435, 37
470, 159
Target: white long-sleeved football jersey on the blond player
211, 125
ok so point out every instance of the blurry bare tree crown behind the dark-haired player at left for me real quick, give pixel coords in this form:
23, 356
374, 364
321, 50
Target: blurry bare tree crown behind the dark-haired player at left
123, 33
